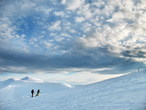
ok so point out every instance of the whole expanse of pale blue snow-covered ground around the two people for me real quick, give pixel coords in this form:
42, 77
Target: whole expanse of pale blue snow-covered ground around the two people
123, 93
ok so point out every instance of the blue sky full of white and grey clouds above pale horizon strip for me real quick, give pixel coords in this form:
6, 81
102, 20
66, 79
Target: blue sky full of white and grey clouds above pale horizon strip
72, 36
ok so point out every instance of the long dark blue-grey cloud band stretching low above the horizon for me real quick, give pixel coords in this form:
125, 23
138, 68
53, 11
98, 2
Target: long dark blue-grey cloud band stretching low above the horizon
33, 62
